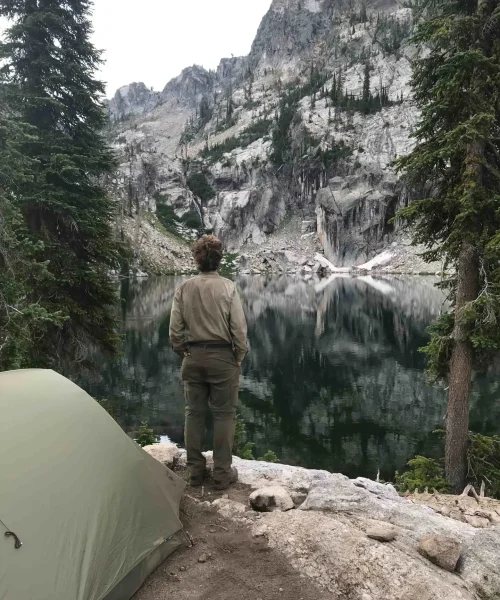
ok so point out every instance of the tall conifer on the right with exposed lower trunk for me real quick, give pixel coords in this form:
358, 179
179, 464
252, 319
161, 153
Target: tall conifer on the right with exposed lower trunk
456, 167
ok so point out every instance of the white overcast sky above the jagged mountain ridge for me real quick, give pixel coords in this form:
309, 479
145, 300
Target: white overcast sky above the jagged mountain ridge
153, 40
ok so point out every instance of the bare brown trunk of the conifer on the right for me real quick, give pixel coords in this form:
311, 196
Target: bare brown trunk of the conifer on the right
460, 383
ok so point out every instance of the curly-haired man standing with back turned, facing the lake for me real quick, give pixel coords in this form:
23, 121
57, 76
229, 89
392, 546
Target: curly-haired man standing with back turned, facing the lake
208, 329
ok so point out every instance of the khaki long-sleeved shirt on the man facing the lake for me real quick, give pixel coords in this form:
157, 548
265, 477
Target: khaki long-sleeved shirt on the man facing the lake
208, 308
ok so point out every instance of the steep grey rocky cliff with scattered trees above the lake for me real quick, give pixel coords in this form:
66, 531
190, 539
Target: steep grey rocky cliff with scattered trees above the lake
306, 126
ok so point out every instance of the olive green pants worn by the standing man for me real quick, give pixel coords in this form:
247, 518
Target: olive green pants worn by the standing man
211, 379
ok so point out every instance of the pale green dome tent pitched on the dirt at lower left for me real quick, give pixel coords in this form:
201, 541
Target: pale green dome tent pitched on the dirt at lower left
95, 514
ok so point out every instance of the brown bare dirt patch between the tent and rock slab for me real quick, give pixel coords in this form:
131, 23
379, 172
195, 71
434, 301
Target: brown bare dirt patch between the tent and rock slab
238, 566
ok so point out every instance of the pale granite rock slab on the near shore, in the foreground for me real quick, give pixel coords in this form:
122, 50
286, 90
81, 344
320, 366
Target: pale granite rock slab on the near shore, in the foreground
359, 539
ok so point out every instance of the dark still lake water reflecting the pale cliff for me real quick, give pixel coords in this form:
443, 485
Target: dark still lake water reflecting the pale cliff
334, 379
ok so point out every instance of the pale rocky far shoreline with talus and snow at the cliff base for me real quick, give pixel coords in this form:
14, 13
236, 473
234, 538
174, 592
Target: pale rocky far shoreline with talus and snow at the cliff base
289, 251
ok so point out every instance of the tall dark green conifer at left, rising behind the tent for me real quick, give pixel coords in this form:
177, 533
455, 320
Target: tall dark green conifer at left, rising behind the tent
49, 64
